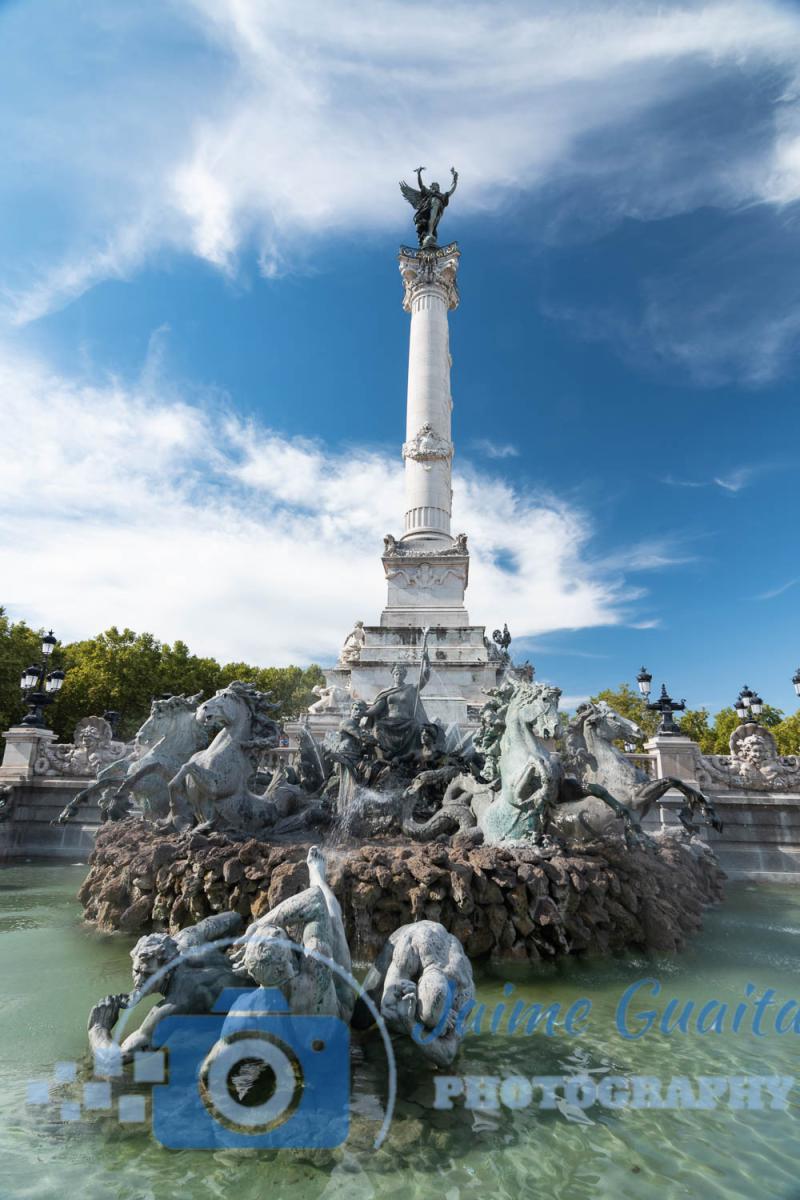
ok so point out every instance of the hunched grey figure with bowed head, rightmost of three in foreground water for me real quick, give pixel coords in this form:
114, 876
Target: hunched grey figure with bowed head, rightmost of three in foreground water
424, 981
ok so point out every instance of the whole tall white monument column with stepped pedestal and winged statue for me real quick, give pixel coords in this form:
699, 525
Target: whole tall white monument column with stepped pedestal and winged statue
426, 566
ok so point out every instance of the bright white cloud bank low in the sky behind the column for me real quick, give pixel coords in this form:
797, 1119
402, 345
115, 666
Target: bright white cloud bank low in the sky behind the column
163, 512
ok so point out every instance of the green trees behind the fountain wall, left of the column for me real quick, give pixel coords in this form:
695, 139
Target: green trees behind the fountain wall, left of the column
124, 671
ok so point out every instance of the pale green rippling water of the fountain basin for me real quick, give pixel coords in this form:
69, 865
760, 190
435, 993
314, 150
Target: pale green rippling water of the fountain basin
53, 969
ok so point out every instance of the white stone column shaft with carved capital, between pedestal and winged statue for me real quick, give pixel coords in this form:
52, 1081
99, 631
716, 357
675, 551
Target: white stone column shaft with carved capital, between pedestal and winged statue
431, 292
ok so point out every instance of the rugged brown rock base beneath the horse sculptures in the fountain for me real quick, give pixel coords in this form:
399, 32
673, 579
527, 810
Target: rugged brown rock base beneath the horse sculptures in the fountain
503, 902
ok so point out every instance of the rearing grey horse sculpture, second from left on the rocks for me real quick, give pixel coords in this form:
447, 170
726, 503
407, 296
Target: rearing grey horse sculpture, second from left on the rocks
214, 788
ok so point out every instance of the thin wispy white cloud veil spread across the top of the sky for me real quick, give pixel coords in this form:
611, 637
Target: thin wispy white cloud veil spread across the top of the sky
272, 124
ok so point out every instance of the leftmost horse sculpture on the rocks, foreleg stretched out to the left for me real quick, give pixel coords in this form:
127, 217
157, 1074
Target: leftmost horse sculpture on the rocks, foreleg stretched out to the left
169, 737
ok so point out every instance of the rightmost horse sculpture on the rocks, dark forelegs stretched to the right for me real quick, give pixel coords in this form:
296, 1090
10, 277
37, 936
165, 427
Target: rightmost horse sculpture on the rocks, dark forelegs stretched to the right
593, 759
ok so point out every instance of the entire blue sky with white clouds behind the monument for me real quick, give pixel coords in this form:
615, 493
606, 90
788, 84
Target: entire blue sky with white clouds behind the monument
203, 349
